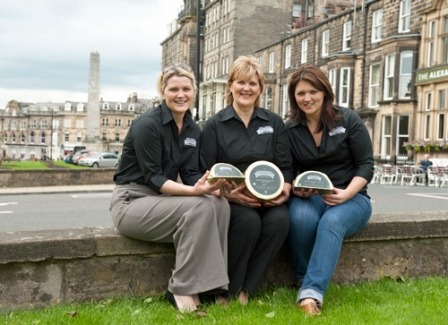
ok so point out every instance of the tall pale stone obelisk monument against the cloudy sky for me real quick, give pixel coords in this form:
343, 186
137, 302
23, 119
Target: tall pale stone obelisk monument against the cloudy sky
93, 140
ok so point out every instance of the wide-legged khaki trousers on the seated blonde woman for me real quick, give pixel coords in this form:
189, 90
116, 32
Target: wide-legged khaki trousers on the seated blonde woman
197, 225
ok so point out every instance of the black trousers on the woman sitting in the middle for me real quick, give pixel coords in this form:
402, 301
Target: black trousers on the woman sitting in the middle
255, 237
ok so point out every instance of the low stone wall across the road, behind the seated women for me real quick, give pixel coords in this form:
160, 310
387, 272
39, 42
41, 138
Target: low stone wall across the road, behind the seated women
55, 177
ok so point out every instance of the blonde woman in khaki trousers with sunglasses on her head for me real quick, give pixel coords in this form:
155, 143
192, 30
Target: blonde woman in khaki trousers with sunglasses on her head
148, 203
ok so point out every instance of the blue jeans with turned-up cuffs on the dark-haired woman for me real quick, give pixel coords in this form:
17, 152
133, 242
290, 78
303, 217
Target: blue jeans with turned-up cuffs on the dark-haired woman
316, 234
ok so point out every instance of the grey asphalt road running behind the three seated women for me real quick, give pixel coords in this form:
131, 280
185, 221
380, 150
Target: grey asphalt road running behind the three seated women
23, 212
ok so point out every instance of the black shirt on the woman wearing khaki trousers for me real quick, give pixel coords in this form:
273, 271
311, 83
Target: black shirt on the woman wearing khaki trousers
154, 152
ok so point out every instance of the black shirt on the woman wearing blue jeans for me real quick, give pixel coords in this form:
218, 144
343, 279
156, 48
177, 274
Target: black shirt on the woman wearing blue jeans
344, 152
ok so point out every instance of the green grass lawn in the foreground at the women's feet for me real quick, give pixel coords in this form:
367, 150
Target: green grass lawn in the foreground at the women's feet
421, 301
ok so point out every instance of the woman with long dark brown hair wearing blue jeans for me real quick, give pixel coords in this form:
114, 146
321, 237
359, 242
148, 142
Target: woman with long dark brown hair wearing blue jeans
332, 140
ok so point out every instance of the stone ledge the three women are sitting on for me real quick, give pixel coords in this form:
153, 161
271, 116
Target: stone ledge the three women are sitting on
41, 268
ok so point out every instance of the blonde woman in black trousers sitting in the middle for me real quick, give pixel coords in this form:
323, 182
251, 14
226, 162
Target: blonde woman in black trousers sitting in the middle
241, 134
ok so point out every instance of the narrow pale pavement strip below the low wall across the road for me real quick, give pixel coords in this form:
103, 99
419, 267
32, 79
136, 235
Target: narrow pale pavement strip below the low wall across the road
57, 189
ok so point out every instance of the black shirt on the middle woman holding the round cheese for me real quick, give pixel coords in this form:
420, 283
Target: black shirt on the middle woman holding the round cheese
226, 139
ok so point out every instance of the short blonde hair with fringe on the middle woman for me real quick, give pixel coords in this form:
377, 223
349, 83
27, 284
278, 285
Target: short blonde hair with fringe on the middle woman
244, 68
